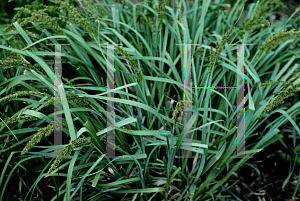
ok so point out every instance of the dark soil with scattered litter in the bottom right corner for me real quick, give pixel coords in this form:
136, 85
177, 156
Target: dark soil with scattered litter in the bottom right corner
267, 182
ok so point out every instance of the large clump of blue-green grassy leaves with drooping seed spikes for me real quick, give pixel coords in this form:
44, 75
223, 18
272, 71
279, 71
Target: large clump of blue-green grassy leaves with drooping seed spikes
146, 168
